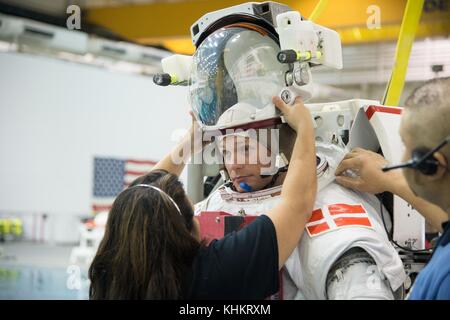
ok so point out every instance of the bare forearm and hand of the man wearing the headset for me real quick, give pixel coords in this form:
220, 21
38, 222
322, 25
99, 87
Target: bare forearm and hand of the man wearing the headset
370, 178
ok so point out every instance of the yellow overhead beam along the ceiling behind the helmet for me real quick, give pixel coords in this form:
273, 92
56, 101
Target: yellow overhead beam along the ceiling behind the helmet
168, 23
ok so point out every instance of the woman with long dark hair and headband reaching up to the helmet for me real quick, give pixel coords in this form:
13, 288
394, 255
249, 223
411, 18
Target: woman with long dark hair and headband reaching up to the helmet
152, 249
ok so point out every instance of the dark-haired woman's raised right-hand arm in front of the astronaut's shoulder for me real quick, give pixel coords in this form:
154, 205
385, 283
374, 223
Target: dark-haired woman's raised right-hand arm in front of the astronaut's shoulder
300, 185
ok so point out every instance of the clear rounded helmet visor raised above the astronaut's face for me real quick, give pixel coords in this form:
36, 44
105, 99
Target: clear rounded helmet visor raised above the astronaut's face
235, 74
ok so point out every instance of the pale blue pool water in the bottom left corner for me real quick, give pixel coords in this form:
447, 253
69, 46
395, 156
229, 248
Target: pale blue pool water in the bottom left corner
31, 283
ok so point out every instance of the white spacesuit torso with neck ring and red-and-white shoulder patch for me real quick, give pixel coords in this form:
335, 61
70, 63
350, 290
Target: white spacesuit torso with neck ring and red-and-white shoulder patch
342, 219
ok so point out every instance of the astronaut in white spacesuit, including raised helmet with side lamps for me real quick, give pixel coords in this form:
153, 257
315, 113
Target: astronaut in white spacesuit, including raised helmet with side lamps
242, 60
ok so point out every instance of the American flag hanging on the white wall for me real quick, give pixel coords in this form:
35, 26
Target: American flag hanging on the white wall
111, 176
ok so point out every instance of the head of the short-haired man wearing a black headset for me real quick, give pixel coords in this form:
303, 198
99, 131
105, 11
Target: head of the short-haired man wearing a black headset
425, 124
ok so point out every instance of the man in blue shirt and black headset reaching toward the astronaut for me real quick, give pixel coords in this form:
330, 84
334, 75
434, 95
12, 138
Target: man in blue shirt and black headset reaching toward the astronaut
425, 131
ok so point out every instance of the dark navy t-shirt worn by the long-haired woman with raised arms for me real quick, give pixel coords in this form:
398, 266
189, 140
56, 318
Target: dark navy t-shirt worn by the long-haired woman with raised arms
241, 265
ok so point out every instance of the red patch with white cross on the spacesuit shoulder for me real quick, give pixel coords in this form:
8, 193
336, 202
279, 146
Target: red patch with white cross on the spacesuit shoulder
336, 216
